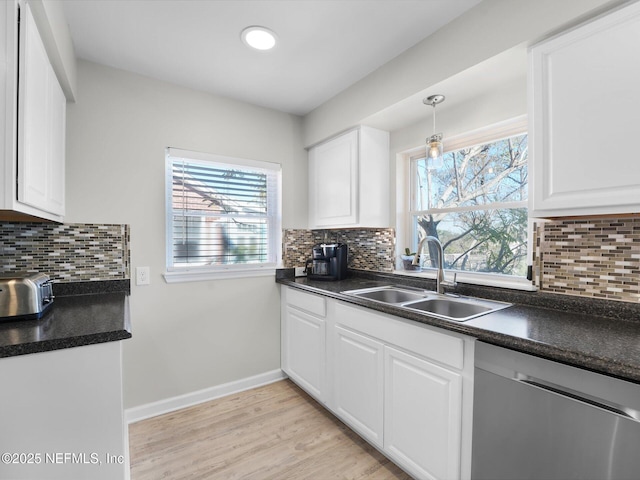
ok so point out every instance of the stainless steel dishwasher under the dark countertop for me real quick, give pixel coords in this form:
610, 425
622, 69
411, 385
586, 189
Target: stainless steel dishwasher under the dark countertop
536, 419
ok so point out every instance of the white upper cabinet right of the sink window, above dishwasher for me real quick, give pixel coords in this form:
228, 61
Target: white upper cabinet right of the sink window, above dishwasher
584, 99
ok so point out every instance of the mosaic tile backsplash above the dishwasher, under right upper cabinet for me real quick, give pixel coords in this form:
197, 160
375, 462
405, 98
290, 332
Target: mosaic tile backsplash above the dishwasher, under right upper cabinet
597, 258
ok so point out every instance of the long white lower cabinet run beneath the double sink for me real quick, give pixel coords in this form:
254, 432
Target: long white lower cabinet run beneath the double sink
405, 387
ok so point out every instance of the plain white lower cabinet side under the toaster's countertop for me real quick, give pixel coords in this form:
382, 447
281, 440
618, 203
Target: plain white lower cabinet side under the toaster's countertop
61, 415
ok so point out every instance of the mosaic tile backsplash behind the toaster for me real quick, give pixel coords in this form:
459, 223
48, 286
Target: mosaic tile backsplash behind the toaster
68, 252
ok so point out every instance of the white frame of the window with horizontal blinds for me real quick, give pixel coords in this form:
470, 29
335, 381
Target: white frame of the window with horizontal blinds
274, 220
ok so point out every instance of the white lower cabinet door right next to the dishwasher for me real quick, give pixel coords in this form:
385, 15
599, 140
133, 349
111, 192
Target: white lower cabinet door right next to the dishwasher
423, 409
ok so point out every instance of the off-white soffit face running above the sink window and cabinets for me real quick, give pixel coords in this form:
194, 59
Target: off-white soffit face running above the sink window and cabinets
488, 29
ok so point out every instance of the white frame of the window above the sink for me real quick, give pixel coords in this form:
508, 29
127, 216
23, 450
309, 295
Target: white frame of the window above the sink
407, 235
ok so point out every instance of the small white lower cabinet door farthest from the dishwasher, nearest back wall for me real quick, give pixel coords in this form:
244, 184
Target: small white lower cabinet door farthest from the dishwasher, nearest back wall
304, 357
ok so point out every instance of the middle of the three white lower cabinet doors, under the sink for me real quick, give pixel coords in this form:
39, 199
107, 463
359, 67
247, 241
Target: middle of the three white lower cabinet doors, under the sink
358, 383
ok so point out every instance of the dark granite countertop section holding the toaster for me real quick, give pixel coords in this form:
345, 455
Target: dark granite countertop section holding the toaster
82, 313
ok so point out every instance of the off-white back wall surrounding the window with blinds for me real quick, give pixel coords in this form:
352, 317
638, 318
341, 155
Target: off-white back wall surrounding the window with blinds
189, 336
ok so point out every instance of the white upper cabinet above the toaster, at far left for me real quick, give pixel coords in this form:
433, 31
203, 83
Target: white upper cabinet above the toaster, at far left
33, 122
